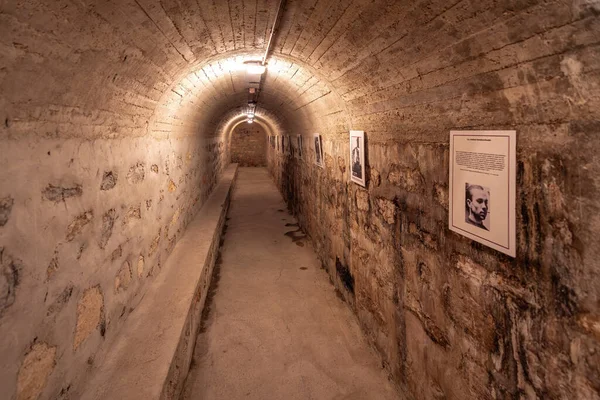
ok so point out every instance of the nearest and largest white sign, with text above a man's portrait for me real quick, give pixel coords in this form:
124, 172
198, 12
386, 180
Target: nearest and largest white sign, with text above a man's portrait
483, 187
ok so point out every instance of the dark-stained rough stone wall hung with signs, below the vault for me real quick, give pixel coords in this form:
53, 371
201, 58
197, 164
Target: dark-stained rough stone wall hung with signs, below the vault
450, 317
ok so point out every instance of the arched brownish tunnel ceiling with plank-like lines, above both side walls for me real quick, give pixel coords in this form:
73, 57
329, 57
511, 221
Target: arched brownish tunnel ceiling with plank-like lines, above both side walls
131, 67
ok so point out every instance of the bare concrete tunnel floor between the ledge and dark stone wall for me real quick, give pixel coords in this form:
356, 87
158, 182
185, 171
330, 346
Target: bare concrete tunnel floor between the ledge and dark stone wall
274, 327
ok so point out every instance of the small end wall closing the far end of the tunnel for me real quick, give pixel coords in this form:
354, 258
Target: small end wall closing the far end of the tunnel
249, 146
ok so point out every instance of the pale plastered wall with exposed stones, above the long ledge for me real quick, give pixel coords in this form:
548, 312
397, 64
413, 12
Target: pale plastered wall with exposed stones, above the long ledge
85, 228
